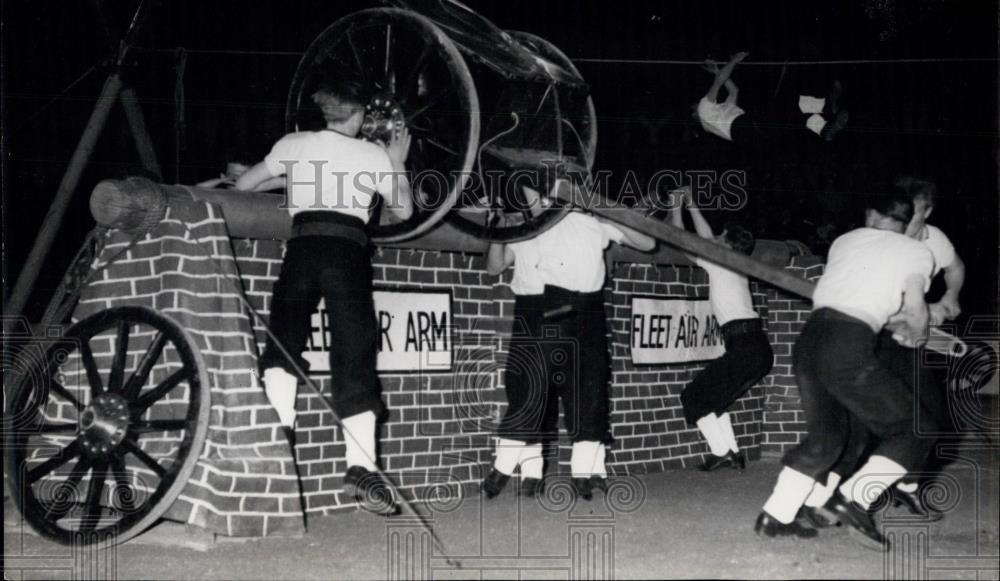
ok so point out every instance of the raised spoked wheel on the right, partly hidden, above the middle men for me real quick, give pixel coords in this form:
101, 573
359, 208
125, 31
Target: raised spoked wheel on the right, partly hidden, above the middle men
576, 137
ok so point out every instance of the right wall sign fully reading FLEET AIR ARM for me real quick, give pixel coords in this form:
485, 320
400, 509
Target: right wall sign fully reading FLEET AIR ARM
673, 331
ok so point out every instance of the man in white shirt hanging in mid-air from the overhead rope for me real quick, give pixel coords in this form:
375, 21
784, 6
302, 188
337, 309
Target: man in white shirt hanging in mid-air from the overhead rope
725, 119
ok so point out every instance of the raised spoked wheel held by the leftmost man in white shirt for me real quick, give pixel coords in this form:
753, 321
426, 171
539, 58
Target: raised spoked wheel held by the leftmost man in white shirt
418, 78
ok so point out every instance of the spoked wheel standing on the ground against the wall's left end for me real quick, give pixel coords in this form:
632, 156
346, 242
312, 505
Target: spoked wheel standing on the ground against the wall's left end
105, 426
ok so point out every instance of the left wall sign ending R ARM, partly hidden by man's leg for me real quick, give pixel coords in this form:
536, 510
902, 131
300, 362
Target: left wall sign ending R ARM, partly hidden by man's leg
414, 332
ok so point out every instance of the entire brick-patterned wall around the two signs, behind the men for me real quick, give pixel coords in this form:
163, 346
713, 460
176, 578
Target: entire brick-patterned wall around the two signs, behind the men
440, 425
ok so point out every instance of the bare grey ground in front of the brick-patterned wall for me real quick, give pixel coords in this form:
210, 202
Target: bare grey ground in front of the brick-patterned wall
679, 524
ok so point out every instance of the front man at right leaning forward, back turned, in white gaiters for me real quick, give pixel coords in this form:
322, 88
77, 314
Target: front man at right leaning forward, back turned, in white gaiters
875, 277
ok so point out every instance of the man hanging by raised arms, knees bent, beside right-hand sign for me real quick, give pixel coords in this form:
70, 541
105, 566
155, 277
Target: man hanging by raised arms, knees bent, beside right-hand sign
748, 357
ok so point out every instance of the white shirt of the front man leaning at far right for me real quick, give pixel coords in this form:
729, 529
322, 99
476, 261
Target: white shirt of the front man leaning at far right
866, 273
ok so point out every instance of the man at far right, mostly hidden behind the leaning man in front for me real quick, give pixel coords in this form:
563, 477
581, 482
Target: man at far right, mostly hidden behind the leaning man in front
908, 363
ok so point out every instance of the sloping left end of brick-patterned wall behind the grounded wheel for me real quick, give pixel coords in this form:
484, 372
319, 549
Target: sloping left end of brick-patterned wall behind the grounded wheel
244, 481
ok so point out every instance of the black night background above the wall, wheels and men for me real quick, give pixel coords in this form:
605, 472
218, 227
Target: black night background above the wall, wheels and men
936, 119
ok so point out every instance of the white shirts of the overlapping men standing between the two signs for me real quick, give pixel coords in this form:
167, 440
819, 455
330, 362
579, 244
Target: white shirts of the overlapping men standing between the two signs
569, 255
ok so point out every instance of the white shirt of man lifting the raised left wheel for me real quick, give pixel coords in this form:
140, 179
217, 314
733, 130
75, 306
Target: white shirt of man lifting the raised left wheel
331, 172
